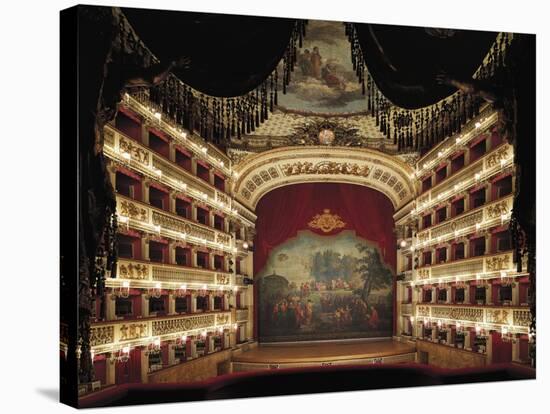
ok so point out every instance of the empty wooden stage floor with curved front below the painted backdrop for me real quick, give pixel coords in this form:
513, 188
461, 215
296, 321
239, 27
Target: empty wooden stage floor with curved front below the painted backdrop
293, 355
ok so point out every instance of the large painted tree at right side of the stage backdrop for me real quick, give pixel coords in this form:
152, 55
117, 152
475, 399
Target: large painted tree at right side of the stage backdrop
372, 270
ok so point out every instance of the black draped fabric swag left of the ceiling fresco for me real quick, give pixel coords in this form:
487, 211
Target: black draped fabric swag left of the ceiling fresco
230, 55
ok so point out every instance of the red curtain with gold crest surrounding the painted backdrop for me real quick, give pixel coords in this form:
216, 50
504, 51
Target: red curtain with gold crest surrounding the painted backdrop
286, 210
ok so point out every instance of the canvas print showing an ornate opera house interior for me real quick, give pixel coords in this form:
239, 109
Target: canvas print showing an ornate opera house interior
275, 206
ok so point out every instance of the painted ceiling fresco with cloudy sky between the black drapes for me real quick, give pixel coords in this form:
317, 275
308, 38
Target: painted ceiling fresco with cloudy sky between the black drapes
323, 80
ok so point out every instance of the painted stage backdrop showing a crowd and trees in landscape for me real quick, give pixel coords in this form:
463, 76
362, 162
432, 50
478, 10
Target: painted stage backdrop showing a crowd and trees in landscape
317, 287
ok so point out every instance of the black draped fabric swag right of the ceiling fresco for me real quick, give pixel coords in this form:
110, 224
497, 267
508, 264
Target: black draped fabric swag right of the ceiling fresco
405, 61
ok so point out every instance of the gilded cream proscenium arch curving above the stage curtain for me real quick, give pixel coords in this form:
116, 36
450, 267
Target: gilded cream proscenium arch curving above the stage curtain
261, 173
